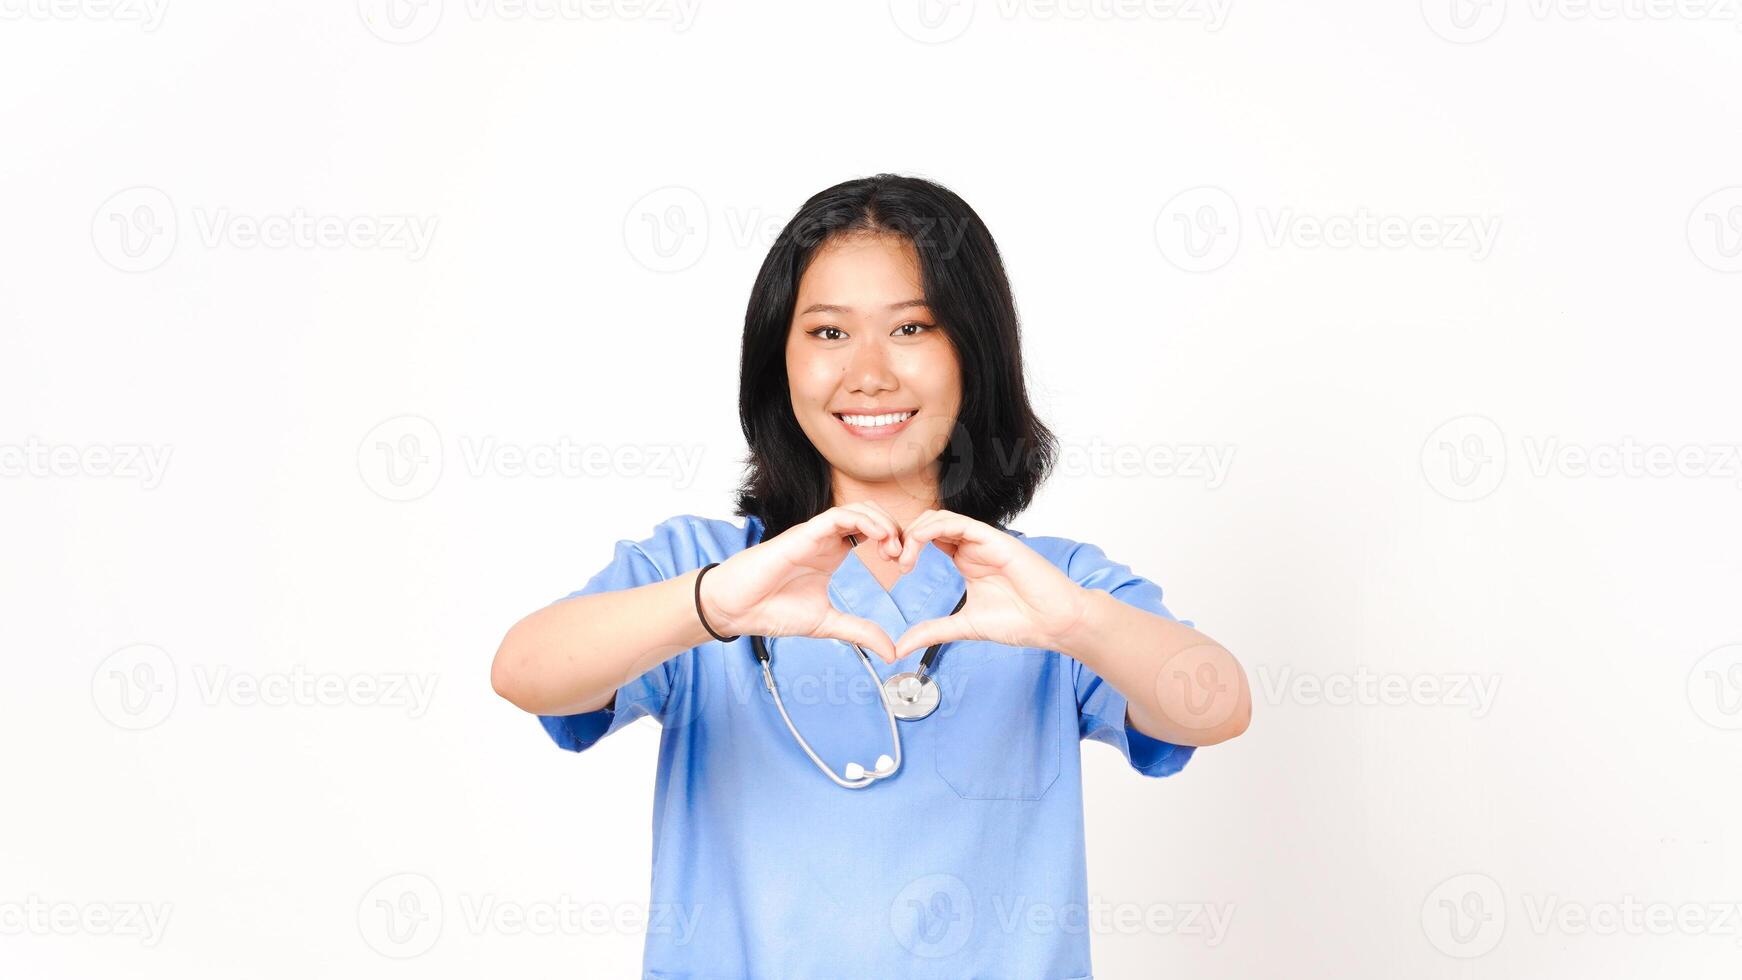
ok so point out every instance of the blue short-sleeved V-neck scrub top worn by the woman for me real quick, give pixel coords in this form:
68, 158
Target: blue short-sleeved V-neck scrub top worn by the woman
968, 863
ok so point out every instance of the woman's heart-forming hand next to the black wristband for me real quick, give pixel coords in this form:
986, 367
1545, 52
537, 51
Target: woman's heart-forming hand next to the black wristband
781, 587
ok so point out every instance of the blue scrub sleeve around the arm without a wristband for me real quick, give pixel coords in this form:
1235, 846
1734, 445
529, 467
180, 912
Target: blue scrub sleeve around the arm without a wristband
1100, 706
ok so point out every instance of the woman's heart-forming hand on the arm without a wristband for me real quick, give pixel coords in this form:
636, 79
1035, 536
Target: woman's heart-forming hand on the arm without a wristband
1016, 598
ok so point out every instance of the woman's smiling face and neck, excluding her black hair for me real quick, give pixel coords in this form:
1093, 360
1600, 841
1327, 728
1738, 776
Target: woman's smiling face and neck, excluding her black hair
867, 347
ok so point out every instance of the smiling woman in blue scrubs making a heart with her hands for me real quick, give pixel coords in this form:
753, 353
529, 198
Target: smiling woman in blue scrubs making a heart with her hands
891, 441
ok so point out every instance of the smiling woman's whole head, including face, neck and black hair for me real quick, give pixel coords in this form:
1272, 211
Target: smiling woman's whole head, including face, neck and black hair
882, 297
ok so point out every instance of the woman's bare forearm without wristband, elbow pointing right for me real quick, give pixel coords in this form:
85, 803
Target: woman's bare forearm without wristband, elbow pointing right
1180, 685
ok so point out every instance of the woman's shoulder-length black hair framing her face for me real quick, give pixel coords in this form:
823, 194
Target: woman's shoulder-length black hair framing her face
999, 452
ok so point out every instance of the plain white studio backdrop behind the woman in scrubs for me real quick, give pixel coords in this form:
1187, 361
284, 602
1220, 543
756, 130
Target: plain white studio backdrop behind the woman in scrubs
1396, 342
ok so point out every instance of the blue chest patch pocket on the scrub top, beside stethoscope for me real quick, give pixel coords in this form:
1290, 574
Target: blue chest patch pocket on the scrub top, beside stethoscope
1003, 739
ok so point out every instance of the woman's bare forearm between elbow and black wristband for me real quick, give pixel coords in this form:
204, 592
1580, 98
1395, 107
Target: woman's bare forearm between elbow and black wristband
571, 657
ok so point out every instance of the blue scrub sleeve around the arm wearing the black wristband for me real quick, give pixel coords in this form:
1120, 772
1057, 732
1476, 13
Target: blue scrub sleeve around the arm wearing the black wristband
633, 565
